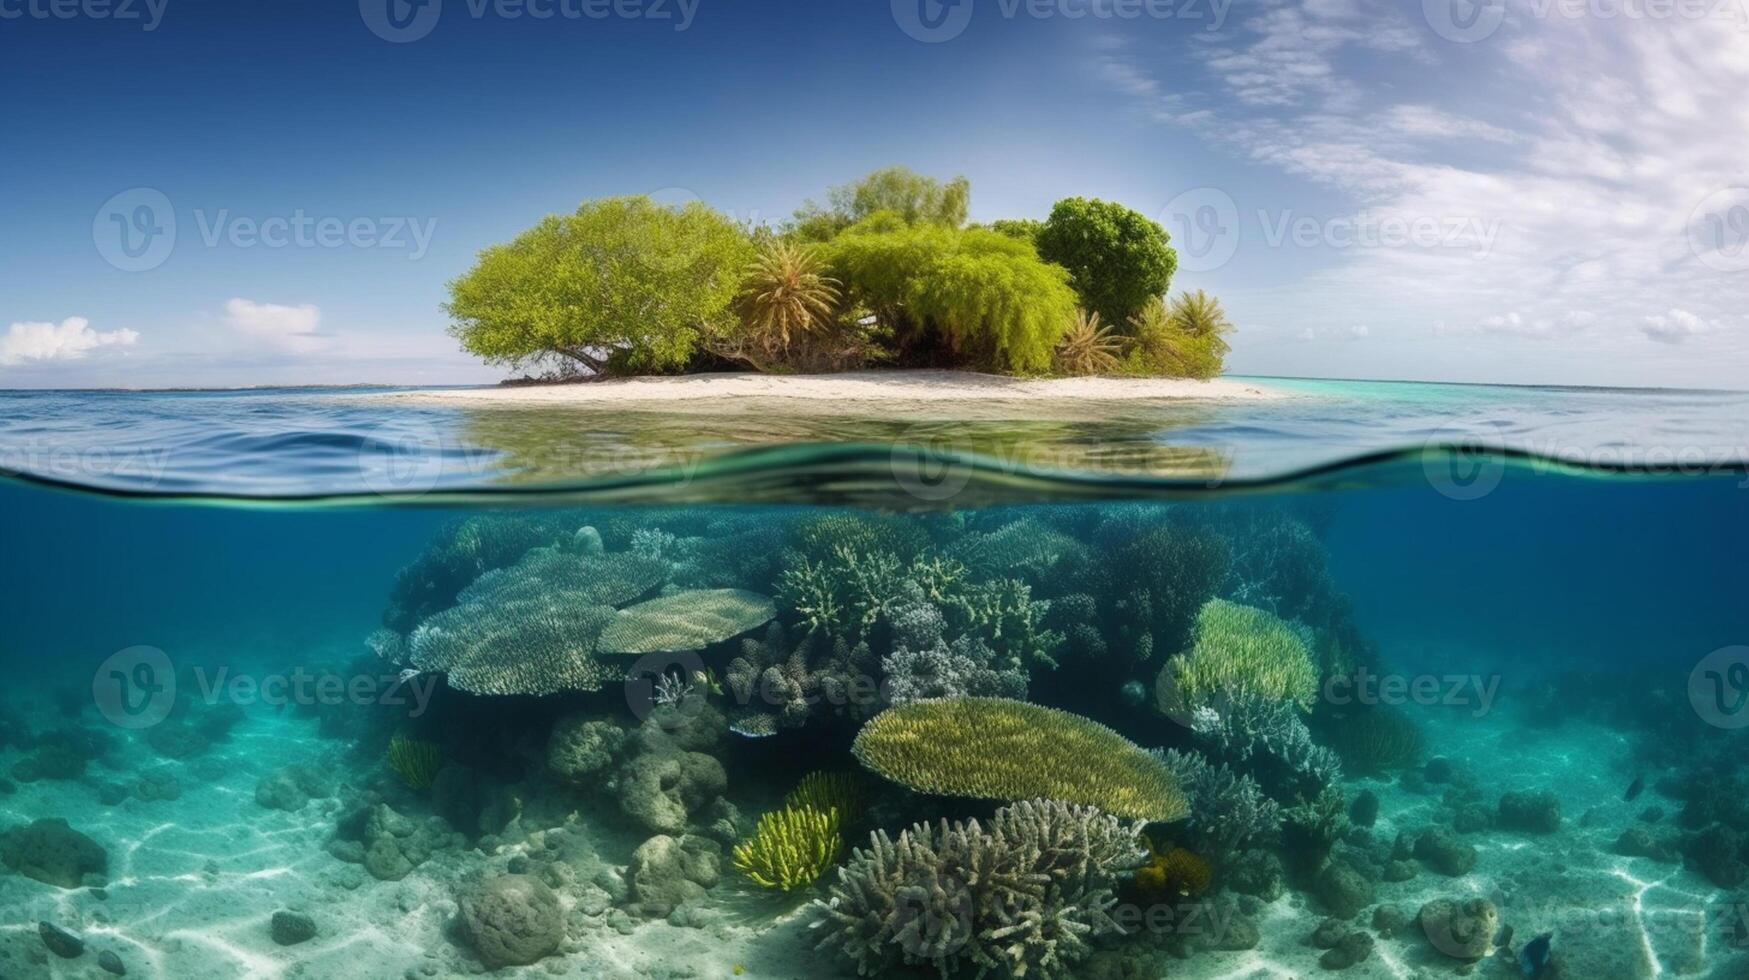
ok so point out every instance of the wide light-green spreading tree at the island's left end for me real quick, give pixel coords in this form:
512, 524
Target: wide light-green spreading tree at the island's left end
622, 286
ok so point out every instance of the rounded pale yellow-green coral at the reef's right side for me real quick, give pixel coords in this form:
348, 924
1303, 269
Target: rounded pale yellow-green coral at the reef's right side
1237, 650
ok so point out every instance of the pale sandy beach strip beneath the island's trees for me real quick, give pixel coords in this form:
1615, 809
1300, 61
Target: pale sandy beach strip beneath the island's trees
853, 391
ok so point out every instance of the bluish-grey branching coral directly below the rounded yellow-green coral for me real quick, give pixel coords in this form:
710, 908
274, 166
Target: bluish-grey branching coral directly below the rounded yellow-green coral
1269, 741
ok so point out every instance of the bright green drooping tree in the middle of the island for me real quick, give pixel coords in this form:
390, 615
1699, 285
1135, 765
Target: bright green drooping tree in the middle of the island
954, 297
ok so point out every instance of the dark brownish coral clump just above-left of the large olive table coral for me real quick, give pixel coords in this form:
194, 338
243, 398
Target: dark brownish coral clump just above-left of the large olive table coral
781, 683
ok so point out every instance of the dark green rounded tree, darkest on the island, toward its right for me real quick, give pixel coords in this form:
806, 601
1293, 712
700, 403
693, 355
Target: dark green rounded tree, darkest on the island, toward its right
1117, 258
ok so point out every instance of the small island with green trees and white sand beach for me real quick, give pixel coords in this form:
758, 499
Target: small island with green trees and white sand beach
886, 288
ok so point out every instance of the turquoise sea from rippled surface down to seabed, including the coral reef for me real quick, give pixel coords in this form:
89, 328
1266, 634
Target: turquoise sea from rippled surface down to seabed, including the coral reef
513, 711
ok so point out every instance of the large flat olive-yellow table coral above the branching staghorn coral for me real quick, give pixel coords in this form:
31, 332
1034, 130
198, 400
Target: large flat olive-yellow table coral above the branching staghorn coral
1007, 750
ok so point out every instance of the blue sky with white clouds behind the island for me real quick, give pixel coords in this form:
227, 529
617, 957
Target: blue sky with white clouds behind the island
1521, 192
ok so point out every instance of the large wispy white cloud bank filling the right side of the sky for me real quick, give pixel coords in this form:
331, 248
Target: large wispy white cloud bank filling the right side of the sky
1591, 144
